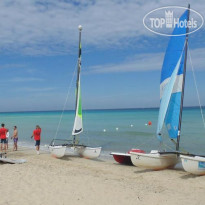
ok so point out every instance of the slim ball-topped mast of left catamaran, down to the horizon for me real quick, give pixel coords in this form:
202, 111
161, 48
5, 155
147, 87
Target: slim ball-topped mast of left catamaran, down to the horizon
79, 65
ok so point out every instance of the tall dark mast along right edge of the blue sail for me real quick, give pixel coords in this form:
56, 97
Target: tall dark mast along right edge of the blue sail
183, 83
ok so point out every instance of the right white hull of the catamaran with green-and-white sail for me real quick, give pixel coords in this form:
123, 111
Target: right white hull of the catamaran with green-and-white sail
88, 152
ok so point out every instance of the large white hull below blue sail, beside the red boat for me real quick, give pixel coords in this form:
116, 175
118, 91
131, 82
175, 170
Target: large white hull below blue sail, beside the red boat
154, 160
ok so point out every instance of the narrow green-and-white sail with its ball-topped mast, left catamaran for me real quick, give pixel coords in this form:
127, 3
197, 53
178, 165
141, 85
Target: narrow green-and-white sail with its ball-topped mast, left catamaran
78, 123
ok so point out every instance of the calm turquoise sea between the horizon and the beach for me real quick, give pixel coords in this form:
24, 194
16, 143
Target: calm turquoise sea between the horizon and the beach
97, 121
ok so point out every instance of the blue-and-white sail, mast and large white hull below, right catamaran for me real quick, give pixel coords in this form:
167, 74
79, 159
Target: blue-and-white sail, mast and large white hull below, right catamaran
171, 100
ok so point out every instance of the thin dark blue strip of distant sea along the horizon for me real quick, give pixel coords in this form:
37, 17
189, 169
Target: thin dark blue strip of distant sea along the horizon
105, 109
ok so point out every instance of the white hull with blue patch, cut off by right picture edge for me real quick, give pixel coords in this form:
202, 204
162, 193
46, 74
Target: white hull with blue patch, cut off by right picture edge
193, 164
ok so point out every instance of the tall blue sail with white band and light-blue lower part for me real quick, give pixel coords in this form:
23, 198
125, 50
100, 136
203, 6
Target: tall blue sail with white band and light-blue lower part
171, 82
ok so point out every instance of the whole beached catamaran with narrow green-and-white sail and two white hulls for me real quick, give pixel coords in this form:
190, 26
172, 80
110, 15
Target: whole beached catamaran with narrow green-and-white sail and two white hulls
58, 150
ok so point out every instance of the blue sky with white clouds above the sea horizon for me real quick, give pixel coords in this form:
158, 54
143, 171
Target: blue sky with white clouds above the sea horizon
121, 59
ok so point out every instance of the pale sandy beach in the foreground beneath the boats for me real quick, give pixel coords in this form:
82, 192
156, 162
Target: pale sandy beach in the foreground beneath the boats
46, 180
